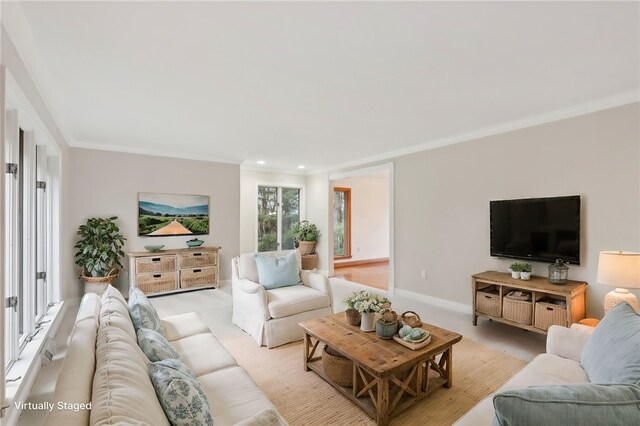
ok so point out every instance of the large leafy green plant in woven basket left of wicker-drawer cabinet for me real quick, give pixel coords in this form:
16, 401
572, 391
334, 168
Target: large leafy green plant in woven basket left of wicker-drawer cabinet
99, 250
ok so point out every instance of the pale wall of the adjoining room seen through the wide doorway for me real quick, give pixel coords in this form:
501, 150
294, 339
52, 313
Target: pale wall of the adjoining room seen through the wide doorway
369, 215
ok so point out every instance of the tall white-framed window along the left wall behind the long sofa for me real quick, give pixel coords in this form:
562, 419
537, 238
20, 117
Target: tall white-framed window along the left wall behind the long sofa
26, 214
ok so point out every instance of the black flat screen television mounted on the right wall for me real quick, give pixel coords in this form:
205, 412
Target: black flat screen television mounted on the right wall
541, 229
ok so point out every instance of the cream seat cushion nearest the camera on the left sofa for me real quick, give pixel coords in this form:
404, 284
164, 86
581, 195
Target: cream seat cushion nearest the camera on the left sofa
236, 396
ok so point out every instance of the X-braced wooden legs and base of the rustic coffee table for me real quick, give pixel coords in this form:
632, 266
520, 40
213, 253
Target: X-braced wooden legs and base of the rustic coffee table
380, 397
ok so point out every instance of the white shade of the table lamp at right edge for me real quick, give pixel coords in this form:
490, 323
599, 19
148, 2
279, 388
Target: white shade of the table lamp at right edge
619, 269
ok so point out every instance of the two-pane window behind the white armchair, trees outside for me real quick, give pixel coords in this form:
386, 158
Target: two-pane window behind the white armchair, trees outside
278, 211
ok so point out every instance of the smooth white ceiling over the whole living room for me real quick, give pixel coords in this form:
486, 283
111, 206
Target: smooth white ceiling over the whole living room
321, 84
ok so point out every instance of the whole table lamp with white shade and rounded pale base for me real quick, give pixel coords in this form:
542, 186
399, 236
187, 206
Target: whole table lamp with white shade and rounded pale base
620, 269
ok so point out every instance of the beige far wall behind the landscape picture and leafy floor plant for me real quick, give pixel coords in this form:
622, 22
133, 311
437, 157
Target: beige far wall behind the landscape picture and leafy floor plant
107, 184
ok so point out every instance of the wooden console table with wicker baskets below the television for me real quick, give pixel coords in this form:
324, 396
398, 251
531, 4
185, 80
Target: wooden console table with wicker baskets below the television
551, 304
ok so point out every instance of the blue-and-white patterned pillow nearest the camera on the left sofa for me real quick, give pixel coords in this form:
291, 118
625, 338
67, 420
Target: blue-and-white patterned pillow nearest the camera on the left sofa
180, 393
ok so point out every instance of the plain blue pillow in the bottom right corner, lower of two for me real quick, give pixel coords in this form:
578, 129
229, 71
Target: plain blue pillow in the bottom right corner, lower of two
578, 404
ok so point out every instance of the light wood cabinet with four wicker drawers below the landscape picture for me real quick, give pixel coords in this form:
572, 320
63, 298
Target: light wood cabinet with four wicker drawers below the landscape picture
169, 271
